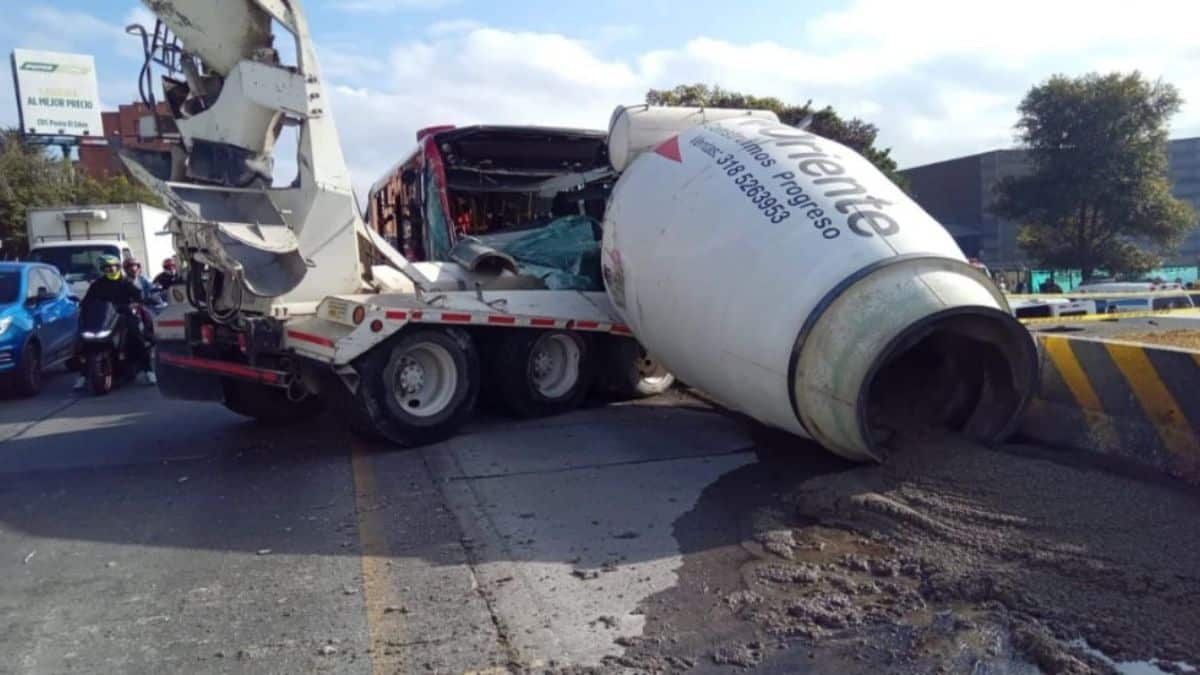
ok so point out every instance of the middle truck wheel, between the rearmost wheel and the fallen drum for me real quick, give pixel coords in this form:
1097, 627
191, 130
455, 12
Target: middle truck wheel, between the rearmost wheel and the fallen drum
543, 373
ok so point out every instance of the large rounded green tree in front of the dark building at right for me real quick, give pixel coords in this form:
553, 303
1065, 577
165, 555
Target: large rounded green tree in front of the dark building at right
1099, 196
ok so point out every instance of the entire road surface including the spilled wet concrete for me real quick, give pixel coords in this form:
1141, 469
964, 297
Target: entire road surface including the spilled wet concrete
662, 536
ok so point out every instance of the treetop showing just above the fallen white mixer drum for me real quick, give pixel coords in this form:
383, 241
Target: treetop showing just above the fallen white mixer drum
854, 134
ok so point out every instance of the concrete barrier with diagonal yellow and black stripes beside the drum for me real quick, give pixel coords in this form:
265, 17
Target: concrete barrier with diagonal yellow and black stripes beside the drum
1136, 402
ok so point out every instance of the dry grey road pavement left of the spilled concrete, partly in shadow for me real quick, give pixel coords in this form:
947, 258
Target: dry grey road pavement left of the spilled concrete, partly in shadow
140, 535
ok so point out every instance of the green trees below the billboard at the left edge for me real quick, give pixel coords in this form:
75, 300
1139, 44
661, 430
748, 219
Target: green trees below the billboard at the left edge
31, 178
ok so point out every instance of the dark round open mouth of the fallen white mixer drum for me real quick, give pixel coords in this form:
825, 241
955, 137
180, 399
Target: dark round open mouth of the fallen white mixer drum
969, 371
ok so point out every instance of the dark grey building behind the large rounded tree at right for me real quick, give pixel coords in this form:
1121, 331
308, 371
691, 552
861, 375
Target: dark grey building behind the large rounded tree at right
961, 193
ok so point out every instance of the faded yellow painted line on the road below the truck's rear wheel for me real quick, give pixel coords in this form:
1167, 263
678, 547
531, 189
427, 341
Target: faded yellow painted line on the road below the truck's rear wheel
380, 595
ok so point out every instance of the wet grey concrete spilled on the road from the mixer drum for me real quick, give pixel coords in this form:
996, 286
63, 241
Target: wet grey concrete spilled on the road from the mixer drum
950, 558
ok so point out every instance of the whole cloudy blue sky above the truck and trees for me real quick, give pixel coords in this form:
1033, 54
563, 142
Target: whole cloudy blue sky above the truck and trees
939, 77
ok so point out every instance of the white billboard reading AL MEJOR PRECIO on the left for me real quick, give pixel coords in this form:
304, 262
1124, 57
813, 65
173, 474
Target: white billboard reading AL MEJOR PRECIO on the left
57, 94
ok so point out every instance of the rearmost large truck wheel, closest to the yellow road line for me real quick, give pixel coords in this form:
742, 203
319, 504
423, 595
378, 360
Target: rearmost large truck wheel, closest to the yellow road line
418, 389
